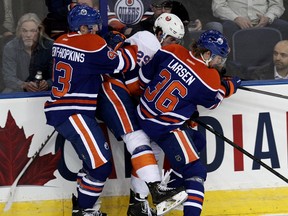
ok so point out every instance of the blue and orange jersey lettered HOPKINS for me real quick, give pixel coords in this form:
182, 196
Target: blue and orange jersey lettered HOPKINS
79, 61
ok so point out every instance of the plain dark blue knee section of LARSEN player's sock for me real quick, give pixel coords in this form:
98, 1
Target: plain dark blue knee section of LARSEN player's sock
194, 170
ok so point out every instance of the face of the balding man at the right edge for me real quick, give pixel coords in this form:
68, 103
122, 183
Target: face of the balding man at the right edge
280, 56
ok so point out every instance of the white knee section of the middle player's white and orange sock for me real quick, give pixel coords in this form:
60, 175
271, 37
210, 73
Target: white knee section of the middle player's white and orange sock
135, 139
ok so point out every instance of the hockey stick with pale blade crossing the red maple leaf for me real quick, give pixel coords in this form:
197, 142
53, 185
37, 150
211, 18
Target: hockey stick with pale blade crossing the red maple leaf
13, 186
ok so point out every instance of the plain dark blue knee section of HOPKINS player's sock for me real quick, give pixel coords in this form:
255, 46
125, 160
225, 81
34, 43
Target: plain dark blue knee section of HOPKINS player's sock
100, 173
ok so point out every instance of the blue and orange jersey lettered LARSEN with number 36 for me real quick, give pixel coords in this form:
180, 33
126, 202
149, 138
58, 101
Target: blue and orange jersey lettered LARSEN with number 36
175, 83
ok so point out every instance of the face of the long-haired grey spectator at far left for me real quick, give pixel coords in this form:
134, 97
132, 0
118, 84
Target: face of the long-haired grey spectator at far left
29, 33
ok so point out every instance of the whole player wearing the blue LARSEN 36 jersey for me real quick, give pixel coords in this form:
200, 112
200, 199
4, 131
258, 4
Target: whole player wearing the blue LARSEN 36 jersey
176, 81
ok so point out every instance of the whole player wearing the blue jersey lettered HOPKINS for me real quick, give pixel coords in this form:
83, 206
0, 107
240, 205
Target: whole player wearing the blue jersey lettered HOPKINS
80, 57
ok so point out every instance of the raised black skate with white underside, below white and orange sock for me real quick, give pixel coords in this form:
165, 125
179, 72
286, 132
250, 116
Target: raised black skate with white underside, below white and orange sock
166, 198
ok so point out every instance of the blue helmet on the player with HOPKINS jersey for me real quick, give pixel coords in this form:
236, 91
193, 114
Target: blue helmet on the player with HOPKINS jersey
83, 15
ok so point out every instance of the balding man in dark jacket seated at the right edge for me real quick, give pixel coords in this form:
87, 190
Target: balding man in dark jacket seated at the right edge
278, 68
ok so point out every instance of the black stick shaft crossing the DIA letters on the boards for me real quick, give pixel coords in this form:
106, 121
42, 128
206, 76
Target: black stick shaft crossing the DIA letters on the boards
241, 149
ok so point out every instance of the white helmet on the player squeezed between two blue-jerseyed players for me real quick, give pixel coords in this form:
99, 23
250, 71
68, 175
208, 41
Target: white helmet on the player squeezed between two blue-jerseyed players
170, 25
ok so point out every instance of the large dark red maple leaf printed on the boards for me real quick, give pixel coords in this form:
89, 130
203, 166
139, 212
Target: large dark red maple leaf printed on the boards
14, 147
